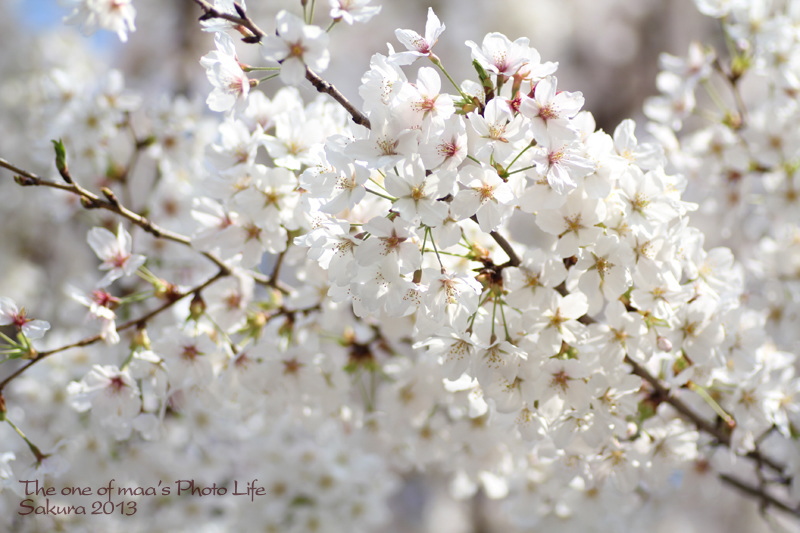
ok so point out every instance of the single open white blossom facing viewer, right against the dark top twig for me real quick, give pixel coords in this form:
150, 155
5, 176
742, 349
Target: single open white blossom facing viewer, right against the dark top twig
296, 47
